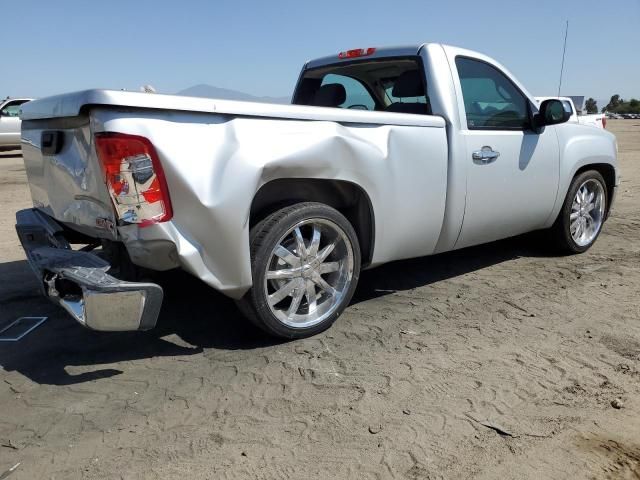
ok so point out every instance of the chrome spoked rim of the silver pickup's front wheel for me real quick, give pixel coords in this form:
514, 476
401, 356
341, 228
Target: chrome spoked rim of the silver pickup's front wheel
587, 212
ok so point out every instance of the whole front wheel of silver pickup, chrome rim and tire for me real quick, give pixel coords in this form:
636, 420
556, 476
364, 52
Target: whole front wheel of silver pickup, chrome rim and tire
580, 221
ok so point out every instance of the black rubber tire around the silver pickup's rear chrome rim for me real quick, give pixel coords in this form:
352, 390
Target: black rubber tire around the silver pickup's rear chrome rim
264, 237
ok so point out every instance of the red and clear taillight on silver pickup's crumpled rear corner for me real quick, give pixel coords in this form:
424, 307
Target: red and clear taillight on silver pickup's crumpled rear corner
134, 177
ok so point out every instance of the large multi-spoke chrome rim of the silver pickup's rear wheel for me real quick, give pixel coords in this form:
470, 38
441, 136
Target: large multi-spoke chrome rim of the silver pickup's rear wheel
308, 273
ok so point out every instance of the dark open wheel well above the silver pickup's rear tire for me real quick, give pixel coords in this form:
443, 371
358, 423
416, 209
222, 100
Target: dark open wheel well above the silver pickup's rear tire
347, 197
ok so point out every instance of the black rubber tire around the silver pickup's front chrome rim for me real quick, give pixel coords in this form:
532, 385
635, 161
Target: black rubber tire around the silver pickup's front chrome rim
561, 229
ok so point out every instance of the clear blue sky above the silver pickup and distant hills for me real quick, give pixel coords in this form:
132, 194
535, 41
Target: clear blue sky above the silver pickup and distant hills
258, 47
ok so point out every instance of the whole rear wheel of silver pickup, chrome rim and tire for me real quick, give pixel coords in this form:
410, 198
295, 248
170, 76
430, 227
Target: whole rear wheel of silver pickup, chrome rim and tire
305, 266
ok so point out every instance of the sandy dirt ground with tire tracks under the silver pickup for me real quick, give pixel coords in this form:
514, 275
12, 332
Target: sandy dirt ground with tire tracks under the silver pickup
499, 361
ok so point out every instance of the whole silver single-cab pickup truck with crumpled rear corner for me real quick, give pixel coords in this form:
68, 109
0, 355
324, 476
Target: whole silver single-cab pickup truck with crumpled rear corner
386, 154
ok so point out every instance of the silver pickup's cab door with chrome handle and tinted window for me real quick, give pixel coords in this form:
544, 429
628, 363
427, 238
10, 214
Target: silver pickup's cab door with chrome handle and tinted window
512, 172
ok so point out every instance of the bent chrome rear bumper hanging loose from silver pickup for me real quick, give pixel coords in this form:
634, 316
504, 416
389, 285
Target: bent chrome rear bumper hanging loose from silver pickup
78, 281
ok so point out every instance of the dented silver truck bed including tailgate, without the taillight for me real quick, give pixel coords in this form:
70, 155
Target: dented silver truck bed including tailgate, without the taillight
216, 157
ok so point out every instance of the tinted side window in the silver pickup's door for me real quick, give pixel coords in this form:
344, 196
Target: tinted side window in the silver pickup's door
491, 100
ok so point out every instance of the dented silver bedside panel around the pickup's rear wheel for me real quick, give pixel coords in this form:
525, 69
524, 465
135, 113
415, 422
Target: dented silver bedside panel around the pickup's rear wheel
215, 164
